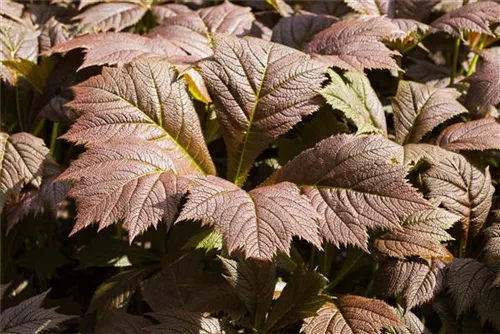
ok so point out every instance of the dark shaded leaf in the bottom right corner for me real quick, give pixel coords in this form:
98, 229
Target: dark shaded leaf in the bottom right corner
471, 285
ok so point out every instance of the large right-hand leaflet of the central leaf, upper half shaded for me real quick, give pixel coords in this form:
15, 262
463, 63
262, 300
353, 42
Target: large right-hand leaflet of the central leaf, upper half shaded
353, 185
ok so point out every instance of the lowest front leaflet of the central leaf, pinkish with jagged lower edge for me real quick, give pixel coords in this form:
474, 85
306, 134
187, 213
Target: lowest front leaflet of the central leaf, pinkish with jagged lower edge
259, 222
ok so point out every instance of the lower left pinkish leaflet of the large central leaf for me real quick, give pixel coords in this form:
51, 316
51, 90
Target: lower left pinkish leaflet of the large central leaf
142, 188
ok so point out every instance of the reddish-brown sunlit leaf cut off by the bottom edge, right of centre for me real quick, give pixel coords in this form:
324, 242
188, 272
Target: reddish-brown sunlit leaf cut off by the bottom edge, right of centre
352, 315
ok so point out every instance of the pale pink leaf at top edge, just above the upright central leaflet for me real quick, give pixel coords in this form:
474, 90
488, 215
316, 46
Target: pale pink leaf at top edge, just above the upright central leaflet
194, 31
